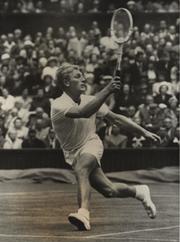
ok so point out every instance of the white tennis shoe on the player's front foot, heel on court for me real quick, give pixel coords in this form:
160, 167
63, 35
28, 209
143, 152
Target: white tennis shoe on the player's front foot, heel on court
79, 220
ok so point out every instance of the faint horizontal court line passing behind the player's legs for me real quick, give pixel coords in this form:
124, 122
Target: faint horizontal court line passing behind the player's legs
54, 191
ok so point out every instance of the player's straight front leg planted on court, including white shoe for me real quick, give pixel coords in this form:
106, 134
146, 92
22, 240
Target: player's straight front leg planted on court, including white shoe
83, 166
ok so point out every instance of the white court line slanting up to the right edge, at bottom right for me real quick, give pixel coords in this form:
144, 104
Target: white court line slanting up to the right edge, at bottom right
133, 231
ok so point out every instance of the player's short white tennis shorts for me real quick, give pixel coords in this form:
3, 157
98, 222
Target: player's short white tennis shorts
93, 146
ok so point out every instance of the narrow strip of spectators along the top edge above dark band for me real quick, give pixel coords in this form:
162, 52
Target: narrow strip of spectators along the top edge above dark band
86, 6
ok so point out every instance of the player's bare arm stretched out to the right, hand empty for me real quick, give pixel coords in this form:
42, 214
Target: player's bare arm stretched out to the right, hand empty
127, 123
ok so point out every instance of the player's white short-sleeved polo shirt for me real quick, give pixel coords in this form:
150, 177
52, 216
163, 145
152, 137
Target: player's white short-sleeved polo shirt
72, 133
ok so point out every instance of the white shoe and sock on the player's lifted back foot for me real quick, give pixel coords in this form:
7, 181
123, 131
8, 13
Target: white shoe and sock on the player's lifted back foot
143, 194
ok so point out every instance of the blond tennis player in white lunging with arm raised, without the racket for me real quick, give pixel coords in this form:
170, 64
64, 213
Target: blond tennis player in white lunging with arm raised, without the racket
73, 117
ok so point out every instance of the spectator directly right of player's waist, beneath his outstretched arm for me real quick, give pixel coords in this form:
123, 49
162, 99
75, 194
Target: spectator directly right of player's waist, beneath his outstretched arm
115, 139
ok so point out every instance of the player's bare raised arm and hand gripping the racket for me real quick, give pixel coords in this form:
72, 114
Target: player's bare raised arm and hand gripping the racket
93, 106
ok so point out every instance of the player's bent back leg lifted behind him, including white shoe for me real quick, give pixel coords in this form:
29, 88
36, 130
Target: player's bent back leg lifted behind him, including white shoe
103, 185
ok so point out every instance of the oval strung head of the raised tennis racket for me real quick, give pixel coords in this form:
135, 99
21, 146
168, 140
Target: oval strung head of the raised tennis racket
121, 25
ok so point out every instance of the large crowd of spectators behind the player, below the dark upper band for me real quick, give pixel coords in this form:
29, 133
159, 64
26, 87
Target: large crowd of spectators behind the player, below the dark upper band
149, 94
